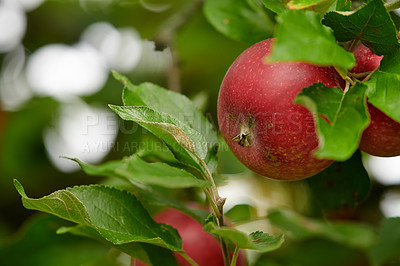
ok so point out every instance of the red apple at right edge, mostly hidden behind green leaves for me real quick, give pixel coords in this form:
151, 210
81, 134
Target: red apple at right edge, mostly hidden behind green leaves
382, 136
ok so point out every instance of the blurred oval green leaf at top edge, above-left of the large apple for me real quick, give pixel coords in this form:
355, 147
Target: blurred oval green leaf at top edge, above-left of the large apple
244, 20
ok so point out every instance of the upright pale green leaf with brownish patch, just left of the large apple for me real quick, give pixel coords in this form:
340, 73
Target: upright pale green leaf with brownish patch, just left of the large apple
174, 119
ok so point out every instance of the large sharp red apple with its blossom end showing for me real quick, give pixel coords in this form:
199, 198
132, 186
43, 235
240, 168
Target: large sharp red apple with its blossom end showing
256, 101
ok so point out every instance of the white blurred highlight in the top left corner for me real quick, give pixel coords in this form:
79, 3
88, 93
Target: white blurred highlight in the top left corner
12, 25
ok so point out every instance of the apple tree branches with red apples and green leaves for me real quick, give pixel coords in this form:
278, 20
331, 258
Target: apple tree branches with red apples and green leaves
317, 89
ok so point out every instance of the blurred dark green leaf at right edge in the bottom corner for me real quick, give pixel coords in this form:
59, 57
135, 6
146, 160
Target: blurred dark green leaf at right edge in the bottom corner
387, 247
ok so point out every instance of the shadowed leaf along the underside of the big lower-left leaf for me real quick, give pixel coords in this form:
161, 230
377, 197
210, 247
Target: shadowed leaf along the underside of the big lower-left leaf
147, 253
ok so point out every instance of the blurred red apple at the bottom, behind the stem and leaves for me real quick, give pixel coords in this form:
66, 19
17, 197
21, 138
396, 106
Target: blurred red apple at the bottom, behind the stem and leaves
201, 246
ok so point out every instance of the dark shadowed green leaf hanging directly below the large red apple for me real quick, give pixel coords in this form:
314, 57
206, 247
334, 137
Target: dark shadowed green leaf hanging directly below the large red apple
342, 185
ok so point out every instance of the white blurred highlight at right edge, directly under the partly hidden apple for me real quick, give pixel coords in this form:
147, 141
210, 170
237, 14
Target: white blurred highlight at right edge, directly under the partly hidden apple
386, 170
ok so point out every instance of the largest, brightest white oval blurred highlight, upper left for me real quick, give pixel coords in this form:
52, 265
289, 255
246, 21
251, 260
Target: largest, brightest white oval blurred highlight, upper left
59, 70
